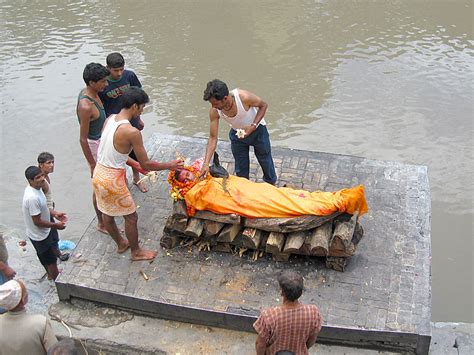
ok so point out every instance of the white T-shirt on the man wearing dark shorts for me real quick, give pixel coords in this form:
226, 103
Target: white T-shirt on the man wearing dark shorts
34, 203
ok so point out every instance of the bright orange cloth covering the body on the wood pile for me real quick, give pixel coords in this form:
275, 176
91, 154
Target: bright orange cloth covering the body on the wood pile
262, 200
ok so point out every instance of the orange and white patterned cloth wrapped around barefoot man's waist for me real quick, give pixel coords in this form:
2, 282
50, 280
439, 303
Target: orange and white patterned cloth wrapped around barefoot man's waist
111, 191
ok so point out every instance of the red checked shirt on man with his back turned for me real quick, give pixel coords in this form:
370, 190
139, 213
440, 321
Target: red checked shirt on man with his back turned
285, 328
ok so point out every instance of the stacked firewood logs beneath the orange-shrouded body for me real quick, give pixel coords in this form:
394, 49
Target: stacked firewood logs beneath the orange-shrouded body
334, 237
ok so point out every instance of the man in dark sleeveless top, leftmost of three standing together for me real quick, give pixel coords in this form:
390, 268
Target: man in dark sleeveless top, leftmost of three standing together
91, 114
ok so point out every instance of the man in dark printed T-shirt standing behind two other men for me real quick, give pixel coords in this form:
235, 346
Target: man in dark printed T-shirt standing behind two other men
118, 81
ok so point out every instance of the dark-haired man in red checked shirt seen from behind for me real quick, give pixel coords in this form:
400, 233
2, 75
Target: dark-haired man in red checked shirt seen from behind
292, 326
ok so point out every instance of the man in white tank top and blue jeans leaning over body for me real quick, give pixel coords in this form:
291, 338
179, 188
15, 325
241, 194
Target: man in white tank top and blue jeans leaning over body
243, 111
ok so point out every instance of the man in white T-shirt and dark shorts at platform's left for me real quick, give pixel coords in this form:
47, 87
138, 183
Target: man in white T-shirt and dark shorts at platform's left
38, 223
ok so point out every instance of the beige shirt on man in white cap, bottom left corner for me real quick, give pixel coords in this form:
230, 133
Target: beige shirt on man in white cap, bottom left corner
22, 333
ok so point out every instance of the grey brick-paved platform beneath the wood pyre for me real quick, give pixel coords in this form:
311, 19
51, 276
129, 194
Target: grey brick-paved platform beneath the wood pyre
383, 299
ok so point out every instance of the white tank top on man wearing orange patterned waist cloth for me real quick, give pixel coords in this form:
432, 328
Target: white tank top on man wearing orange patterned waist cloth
108, 155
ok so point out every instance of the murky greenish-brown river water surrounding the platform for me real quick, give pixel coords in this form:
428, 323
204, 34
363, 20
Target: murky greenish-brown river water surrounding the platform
373, 79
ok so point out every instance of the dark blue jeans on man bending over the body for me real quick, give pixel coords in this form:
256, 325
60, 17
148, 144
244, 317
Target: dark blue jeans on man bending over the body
260, 141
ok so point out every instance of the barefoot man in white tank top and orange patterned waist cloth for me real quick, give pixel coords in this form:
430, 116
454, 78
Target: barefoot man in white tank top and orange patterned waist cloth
109, 181
